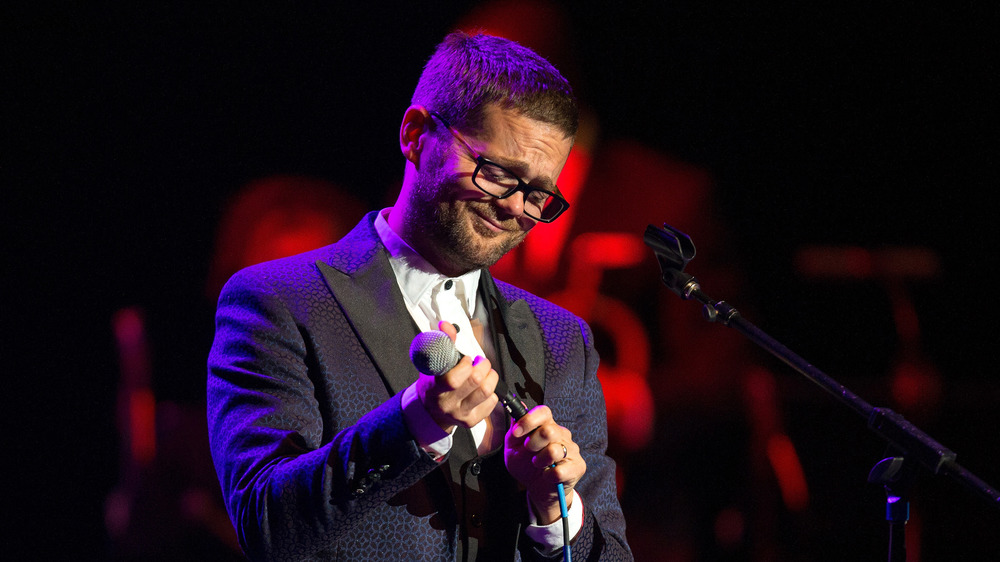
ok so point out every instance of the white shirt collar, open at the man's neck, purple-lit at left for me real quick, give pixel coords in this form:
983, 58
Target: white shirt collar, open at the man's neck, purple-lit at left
416, 276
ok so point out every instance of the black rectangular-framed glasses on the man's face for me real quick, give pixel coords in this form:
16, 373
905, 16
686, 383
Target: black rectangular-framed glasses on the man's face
496, 181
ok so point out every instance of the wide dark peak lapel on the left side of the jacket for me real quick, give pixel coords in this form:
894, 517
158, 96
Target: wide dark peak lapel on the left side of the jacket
364, 286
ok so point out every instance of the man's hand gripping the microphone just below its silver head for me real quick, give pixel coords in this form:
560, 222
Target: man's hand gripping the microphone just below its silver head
462, 396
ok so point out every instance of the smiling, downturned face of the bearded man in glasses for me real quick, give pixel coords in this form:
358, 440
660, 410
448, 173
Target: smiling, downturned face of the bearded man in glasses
456, 226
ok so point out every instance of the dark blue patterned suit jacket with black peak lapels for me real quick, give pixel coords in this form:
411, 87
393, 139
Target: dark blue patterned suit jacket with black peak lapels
305, 421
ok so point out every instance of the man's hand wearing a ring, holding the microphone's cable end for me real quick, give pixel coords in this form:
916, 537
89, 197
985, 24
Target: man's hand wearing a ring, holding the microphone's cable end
539, 454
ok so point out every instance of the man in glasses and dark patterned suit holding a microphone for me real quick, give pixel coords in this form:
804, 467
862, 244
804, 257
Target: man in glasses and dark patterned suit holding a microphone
330, 445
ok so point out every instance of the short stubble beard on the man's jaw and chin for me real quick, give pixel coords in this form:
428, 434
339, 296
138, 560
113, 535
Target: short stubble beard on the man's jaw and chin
451, 229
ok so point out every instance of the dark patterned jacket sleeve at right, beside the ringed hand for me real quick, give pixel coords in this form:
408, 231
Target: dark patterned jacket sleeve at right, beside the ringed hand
582, 410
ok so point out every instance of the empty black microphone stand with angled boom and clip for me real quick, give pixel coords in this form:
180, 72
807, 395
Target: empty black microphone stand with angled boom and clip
674, 250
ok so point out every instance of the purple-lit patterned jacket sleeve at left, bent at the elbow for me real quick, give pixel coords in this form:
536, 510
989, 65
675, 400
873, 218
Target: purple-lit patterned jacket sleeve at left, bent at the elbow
292, 485
